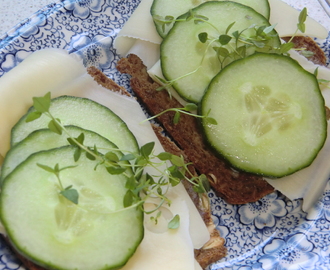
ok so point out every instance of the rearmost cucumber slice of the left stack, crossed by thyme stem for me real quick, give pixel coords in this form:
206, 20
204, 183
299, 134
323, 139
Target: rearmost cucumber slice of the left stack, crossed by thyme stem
84, 113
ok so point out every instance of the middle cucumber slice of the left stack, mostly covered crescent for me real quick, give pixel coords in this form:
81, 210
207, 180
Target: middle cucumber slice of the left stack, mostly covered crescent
45, 139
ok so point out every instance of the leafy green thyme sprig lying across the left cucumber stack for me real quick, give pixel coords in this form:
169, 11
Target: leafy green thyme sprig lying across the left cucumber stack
140, 185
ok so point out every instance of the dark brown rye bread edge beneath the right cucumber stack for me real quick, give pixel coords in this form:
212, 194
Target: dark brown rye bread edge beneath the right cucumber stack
233, 186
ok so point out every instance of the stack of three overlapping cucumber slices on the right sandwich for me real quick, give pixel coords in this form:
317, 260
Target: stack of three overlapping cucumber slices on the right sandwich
226, 57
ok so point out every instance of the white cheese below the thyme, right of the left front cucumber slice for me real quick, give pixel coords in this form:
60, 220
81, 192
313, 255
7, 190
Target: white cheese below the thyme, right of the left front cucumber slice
171, 249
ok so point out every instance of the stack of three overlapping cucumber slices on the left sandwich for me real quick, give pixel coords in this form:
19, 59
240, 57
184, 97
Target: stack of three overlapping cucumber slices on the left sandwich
94, 233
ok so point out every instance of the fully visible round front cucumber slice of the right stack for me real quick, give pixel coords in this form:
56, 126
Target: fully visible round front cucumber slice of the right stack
270, 115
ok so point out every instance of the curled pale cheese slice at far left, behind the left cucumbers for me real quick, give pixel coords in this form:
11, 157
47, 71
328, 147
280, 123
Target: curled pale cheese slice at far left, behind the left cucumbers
17, 88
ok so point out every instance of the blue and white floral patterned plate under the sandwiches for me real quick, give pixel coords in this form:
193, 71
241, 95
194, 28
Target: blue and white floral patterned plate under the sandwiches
291, 239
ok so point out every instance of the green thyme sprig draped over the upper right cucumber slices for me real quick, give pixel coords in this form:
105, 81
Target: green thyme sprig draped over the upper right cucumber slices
230, 46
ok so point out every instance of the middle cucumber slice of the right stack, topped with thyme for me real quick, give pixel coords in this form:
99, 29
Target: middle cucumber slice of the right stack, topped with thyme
182, 53
